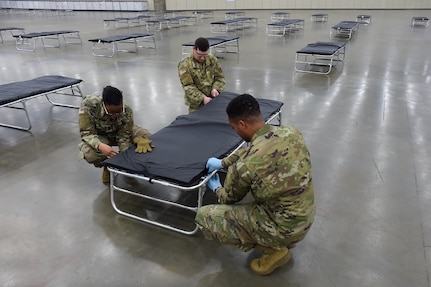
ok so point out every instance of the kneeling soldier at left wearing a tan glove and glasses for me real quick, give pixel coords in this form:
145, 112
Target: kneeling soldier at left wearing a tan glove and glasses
105, 122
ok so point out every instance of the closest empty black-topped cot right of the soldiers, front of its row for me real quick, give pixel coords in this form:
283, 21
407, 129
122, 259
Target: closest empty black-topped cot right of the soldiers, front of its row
320, 54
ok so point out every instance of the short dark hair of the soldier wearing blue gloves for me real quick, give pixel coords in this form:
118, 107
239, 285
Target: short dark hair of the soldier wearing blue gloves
244, 106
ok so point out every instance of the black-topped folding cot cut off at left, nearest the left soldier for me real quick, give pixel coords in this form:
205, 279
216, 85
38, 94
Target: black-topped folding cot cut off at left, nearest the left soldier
15, 95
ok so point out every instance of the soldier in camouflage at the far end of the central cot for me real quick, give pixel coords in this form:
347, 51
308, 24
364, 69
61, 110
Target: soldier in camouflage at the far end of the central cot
201, 76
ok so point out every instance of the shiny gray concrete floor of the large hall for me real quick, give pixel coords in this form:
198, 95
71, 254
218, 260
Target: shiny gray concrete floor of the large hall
366, 124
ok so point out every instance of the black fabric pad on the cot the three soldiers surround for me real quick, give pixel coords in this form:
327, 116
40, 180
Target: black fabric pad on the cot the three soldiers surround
182, 148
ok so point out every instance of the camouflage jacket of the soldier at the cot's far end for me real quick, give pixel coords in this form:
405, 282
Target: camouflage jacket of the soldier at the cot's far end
198, 79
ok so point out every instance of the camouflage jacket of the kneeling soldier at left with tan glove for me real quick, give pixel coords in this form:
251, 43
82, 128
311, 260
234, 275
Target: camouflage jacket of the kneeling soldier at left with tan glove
94, 122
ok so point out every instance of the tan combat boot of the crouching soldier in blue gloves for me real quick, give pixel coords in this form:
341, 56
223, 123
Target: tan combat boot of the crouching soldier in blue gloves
270, 260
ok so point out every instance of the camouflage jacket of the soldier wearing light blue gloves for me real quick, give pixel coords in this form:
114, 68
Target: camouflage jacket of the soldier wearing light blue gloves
276, 168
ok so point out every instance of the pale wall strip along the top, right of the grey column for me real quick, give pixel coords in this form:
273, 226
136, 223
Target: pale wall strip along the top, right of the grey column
295, 4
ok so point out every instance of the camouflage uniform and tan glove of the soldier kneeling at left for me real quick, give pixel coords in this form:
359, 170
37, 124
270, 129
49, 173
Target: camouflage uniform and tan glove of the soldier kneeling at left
96, 127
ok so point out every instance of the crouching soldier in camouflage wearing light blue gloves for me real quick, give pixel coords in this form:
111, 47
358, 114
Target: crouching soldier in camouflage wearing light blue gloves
276, 169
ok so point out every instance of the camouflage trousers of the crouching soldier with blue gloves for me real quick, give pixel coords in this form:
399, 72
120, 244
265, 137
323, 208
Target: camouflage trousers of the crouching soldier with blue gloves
238, 225
